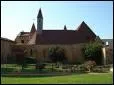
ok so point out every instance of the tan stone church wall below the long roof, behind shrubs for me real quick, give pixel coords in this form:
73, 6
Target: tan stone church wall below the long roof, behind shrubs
72, 52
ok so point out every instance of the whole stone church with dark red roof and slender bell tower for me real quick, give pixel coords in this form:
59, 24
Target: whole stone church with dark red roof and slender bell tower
37, 42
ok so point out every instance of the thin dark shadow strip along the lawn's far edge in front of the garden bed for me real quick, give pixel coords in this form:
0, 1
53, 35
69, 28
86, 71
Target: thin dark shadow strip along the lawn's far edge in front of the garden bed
41, 75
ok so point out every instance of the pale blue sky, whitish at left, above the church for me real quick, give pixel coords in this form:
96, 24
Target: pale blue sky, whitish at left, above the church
17, 16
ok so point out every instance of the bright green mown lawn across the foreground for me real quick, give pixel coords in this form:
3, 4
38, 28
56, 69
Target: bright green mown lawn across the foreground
102, 78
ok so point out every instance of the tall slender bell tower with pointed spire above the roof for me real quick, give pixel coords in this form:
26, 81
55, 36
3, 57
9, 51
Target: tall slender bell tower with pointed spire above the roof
39, 22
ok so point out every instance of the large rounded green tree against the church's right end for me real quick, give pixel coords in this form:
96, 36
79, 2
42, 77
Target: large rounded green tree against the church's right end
92, 51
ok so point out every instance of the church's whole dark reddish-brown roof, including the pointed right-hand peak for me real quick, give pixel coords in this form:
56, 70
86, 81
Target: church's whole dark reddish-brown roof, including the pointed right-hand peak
82, 35
